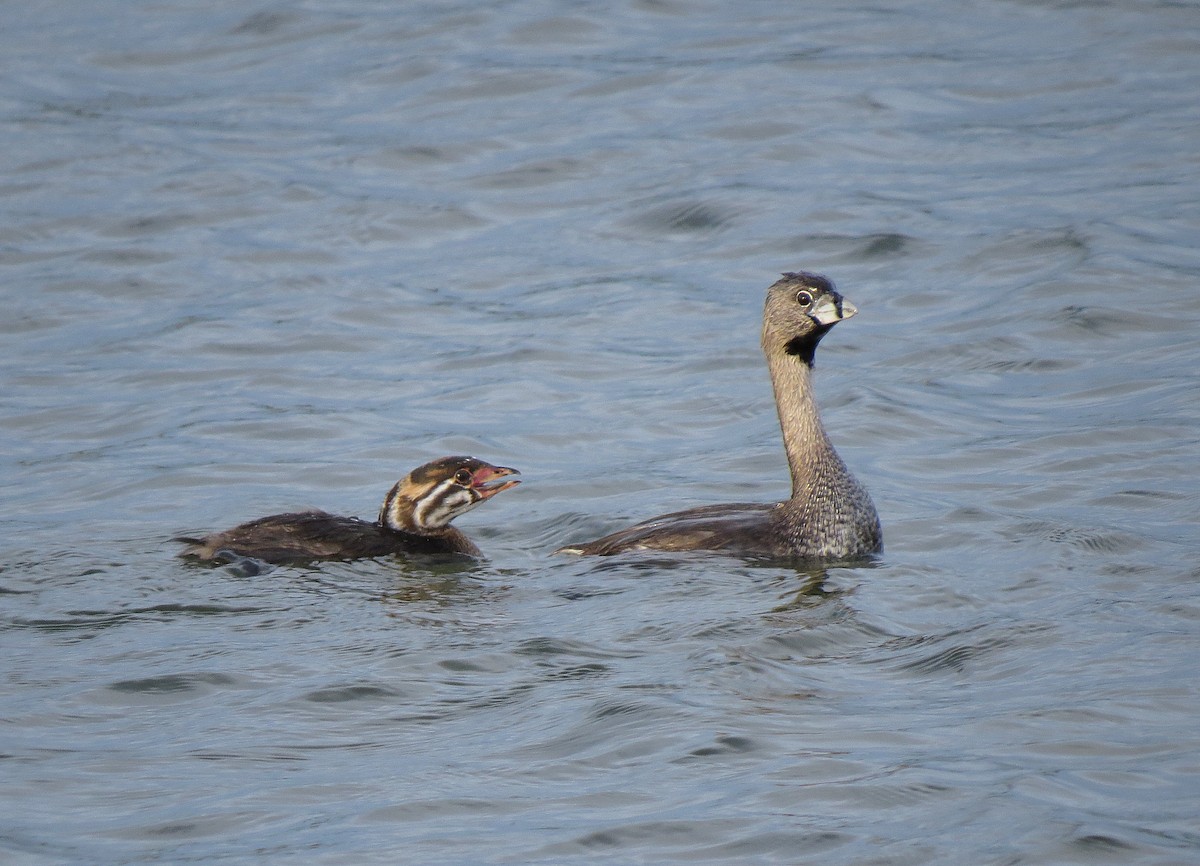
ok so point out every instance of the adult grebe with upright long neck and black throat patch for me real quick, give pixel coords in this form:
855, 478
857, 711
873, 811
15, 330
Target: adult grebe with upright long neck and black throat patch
830, 515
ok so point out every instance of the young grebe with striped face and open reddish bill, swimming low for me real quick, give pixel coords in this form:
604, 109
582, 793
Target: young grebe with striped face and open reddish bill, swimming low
415, 519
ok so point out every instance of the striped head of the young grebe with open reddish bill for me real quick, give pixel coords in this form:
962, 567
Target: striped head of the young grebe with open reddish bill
430, 497
